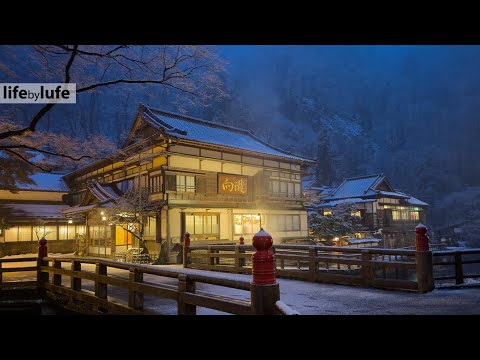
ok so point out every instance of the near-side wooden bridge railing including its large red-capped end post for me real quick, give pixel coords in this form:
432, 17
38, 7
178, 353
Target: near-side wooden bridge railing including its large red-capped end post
117, 287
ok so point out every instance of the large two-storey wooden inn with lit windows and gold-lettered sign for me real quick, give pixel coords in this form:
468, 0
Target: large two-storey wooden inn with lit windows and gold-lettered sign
214, 181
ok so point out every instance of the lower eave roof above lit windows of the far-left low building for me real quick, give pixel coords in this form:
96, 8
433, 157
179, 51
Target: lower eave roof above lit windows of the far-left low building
29, 211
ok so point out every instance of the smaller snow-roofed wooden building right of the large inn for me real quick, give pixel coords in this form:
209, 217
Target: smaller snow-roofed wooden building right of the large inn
389, 213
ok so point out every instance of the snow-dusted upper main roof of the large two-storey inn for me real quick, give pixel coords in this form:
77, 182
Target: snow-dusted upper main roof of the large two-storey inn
209, 132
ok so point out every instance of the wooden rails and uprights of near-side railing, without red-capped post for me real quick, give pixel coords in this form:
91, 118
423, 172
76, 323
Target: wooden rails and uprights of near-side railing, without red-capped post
184, 293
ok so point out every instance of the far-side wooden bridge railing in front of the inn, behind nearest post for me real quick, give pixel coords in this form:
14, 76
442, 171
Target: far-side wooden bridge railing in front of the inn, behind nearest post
384, 268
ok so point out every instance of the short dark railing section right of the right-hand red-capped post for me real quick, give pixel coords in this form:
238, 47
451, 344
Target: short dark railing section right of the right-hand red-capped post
456, 265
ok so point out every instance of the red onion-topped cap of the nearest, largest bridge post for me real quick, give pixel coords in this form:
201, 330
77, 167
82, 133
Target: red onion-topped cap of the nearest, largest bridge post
263, 261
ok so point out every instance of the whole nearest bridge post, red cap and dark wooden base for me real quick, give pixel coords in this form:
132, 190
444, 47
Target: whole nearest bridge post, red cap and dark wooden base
265, 291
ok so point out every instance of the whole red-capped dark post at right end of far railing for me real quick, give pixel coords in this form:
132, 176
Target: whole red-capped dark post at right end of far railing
424, 261
